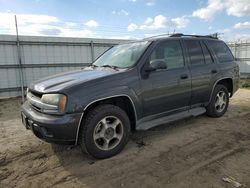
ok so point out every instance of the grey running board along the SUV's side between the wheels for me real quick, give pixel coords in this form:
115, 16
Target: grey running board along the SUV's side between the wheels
167, 119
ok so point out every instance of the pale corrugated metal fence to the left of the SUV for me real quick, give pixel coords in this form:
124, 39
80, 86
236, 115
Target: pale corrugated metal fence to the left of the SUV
44, 56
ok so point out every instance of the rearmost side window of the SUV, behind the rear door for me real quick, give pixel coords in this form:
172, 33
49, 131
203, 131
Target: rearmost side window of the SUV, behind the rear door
221, 51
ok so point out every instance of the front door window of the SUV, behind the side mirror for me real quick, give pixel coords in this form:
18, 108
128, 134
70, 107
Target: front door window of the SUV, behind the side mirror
170, 52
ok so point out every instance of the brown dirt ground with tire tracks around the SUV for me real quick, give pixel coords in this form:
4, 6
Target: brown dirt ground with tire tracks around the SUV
195, 152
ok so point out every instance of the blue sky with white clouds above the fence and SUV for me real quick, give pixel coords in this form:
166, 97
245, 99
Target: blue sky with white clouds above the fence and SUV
126, 19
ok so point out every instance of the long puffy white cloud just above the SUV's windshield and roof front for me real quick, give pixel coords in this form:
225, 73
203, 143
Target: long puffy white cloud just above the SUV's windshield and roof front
160, 22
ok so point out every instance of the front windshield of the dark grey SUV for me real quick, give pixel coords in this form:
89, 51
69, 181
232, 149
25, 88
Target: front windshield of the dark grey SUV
122, 56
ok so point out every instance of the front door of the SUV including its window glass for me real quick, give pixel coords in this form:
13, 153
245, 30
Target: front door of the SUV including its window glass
167, 90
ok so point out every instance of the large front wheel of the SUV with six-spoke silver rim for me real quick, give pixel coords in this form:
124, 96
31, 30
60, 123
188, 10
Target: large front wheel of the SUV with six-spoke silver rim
105, 131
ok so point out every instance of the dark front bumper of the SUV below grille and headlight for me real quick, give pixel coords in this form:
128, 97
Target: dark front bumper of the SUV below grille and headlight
51, 128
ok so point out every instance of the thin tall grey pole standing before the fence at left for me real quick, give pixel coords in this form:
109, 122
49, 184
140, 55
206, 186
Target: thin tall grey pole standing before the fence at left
19, 60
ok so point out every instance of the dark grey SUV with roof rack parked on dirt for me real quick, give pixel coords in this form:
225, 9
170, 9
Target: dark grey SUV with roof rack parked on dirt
132, 86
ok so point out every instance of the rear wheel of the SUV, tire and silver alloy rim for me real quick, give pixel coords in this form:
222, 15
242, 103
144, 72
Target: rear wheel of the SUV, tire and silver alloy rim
220, 95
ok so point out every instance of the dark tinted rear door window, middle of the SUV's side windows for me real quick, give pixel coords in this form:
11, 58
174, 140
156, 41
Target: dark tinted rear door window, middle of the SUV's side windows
195, 52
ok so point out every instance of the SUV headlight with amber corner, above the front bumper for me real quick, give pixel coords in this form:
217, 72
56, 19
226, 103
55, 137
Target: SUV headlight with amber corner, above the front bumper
58, 100
